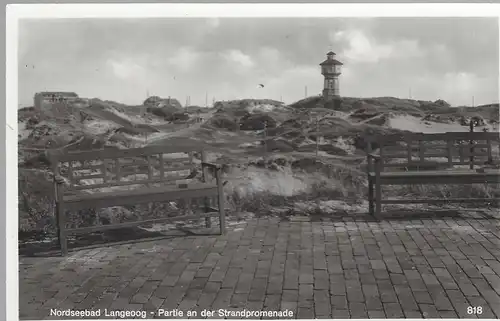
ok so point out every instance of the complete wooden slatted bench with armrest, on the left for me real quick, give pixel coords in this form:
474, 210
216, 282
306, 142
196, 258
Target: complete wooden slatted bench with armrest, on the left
90, 179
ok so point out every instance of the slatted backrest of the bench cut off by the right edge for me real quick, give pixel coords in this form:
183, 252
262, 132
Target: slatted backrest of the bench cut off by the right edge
432, 151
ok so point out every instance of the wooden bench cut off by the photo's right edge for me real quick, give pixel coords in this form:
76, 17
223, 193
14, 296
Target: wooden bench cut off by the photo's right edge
419, 158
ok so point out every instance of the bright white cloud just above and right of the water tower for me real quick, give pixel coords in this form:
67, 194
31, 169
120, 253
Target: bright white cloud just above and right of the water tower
362, 48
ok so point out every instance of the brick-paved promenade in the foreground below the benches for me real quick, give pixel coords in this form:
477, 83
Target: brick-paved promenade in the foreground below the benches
432, 268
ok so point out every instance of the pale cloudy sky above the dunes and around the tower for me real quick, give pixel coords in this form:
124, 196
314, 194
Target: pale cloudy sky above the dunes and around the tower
125, 59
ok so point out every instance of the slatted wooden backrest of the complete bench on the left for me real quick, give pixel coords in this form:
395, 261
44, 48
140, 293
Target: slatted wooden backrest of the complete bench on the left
89, 170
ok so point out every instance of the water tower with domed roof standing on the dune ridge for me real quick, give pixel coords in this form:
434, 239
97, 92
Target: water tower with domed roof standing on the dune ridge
331, 70
